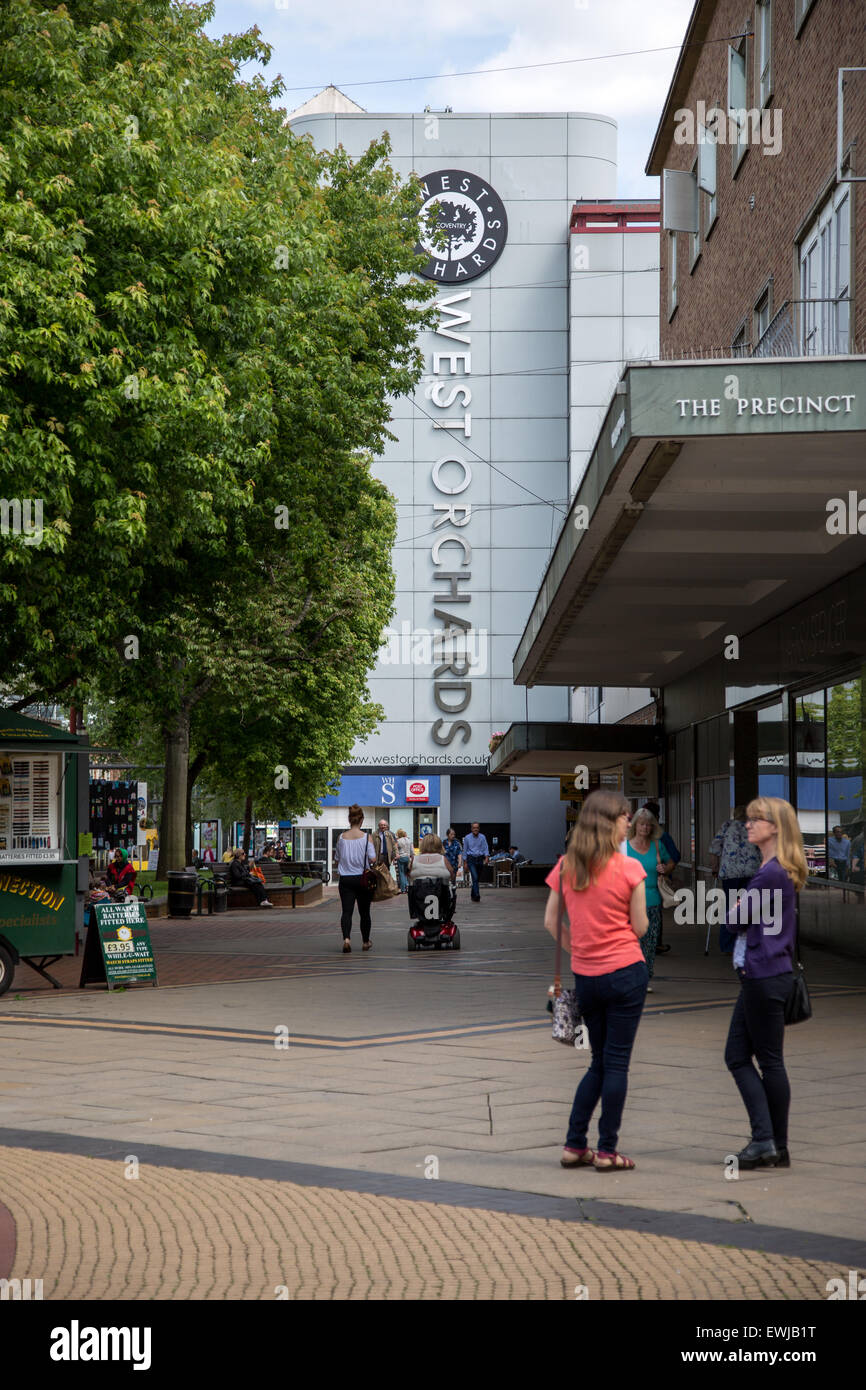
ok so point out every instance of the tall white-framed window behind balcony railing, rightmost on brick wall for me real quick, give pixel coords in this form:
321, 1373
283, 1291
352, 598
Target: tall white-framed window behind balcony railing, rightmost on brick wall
825, 279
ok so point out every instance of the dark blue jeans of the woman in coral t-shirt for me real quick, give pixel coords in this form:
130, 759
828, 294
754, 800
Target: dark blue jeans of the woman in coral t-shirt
611, 1007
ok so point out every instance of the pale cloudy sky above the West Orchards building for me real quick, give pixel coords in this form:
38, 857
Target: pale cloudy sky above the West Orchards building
355, 42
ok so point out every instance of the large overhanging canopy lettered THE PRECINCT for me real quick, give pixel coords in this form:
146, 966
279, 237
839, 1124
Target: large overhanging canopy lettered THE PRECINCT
704, 514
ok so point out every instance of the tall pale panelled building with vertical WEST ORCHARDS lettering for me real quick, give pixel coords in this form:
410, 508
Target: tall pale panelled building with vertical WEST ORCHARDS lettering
487, 452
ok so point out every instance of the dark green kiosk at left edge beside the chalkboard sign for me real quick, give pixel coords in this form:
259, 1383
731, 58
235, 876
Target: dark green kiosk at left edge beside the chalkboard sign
44, 801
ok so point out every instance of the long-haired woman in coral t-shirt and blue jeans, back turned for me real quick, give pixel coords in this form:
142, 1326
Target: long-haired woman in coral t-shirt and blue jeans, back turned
605, 904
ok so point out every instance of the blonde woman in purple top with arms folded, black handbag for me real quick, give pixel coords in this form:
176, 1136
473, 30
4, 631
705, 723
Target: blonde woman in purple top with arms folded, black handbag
765, 922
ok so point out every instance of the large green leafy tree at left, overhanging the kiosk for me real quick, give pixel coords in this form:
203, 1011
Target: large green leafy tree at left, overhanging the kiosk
201, 326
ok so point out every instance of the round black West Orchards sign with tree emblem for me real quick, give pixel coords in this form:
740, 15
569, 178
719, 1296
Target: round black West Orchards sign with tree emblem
472, 224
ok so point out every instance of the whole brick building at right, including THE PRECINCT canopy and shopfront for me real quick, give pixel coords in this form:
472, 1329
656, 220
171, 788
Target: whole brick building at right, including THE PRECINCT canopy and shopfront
715, 551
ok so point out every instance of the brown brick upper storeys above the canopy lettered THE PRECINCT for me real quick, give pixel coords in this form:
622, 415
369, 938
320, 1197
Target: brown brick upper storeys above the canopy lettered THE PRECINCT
774, 265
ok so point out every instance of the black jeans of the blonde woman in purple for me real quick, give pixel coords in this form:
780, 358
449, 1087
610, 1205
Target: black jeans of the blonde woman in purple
758, 1031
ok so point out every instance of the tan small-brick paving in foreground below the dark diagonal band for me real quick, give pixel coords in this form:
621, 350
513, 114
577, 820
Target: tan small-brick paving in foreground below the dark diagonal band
170, 1234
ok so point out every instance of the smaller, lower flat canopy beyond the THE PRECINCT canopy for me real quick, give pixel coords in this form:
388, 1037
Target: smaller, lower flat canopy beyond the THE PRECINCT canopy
555, 750
